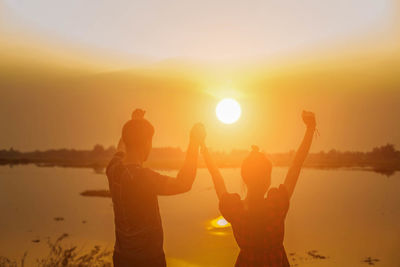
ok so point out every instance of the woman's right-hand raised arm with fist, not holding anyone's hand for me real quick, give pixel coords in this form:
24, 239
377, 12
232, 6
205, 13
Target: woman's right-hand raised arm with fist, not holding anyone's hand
301, 154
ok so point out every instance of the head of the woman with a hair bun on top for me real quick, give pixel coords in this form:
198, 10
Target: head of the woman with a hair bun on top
256, 172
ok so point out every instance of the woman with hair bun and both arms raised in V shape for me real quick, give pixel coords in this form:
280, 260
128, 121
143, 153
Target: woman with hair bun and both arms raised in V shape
258, 221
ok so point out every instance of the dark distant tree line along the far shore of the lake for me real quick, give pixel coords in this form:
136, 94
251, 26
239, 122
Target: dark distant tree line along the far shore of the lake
385, 159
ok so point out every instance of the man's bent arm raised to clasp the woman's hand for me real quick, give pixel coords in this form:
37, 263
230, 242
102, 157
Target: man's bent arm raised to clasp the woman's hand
185, 178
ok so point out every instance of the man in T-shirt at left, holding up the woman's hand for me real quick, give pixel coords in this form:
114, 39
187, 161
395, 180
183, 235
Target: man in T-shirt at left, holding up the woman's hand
134, 190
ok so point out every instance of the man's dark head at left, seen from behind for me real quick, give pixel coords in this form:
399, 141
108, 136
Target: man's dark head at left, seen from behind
137, 135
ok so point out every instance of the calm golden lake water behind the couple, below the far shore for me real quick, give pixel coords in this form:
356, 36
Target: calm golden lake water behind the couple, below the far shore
345, 215
